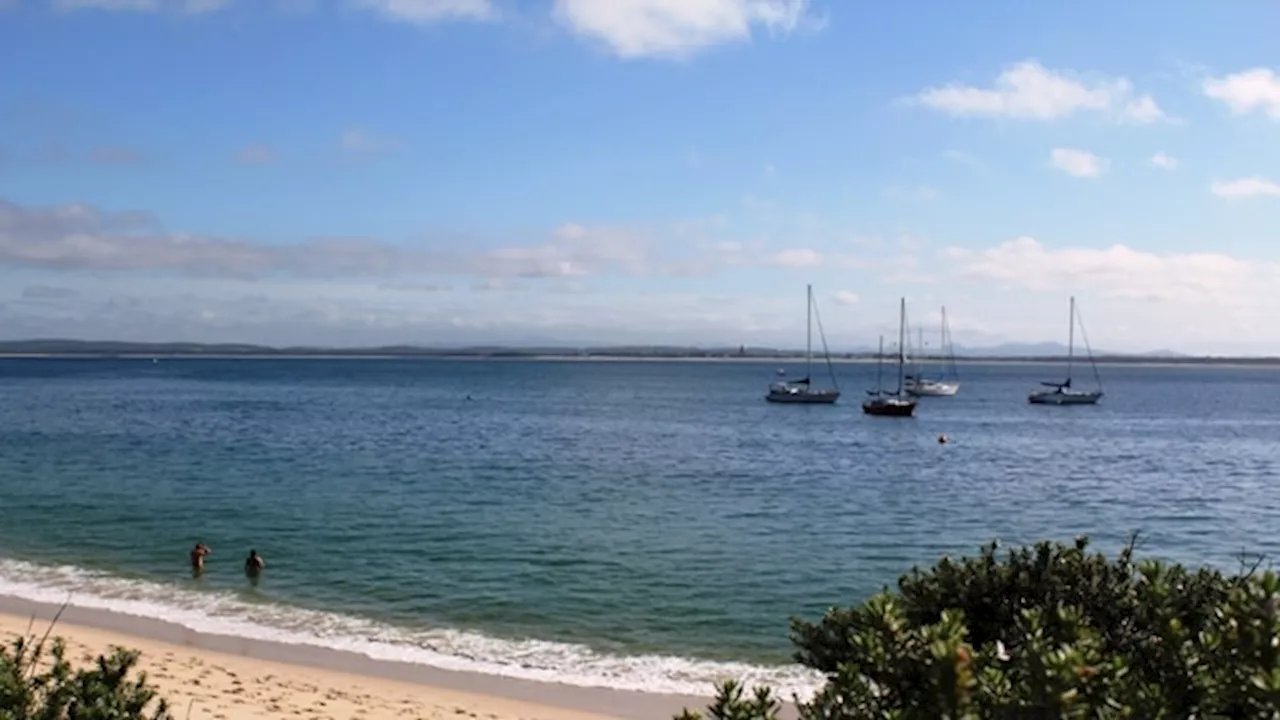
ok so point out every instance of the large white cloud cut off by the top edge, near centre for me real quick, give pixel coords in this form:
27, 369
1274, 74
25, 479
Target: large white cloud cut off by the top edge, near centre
678, 29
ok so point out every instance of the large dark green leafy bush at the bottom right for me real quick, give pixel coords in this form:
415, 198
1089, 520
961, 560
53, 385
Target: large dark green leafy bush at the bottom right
1045, 632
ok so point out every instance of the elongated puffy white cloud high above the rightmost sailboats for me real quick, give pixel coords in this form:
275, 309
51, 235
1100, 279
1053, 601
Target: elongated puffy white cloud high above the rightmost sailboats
1030, 92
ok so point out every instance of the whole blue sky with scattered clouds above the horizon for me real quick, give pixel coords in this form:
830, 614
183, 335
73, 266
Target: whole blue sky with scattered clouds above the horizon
659, 172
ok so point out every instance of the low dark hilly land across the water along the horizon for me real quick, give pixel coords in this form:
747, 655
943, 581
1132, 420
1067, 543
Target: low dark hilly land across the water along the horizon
1031, 353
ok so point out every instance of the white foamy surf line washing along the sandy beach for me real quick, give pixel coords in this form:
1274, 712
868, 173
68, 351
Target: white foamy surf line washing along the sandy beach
226, 614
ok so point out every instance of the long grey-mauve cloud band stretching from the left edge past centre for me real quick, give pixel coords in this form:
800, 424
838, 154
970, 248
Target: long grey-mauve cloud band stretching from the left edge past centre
83, 238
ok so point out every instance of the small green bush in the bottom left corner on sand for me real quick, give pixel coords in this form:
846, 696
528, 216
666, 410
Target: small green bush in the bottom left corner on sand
39, 683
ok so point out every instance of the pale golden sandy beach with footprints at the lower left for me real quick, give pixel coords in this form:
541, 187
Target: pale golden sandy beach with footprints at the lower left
209, 685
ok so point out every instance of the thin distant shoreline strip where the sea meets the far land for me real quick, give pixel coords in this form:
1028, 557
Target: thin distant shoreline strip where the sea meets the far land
1260, 363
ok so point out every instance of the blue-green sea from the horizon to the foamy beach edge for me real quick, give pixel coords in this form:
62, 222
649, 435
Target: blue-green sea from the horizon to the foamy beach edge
643, 526
